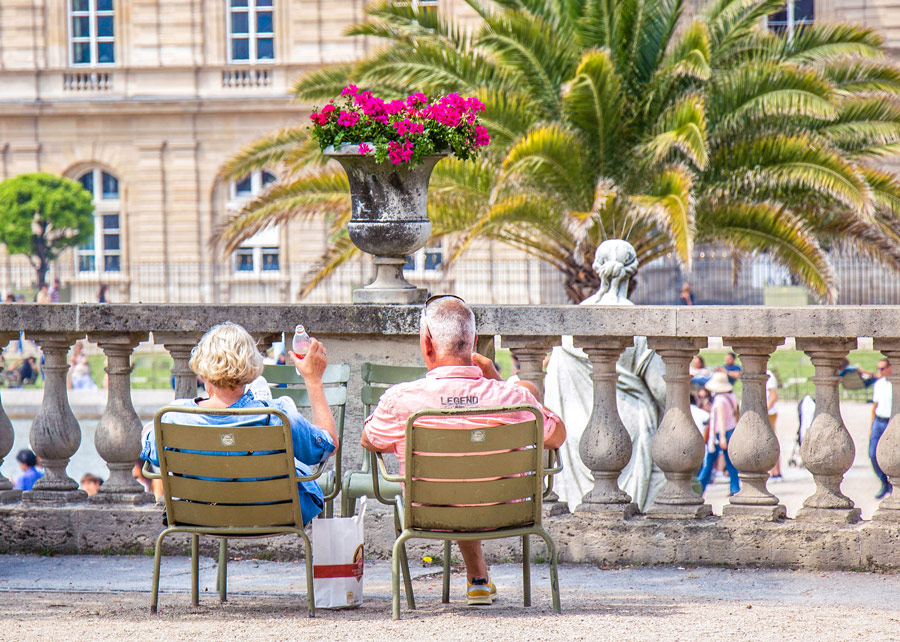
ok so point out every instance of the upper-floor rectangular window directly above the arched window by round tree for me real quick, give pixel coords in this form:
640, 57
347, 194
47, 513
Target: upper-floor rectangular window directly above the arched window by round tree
92, 33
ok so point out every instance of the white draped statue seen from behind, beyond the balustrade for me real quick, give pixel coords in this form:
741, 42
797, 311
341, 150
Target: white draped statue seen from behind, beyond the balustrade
640, 391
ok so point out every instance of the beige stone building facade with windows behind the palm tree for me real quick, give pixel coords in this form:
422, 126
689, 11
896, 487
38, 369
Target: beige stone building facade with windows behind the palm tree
143, 100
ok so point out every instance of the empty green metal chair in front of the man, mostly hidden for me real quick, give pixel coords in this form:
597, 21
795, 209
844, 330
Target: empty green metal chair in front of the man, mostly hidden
376, 379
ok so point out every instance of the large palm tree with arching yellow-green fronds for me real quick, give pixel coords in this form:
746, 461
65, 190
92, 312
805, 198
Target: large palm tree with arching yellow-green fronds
619, 118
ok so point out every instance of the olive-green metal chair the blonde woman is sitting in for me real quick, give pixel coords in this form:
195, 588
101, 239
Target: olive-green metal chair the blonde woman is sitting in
251, 493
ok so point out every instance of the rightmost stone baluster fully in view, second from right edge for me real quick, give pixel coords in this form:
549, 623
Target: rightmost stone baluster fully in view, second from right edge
828, 450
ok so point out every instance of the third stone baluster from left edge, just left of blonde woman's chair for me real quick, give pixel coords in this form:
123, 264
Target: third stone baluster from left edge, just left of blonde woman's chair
118, 435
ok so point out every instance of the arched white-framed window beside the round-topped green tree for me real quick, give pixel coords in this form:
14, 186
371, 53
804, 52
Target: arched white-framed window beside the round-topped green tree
103, 253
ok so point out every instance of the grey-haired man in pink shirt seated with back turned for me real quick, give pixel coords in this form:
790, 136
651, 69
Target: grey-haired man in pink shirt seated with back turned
456, 378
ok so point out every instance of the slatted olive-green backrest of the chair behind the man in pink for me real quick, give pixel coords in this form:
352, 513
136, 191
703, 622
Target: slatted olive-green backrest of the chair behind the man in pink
466, 477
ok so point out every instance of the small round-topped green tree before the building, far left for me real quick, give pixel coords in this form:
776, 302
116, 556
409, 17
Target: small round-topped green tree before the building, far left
41, 215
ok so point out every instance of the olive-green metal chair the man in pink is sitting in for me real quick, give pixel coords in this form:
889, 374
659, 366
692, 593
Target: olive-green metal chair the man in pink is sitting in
448, 497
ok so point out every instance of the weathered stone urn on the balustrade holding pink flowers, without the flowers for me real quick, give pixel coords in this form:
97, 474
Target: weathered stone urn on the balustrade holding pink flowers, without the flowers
389, 219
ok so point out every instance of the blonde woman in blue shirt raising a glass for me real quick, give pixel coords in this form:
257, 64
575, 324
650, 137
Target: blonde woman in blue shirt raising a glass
227, 360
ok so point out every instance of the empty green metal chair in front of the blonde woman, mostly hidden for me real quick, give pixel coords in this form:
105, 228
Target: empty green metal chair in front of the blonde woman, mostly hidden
286, 382
